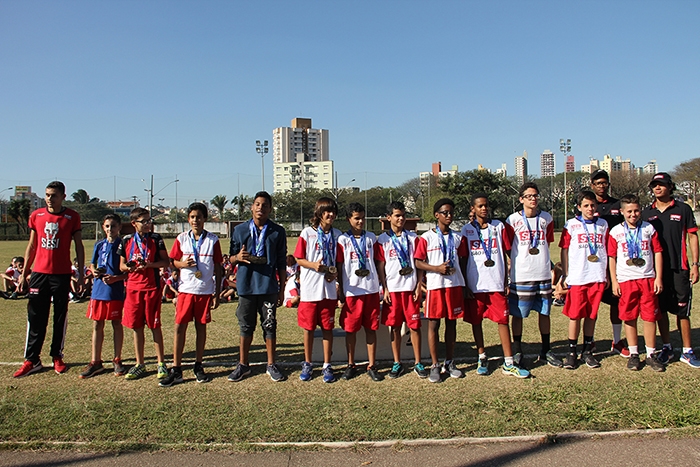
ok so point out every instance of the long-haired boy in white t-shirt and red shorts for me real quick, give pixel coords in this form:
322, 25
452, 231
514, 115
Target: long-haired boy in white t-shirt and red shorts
316, 256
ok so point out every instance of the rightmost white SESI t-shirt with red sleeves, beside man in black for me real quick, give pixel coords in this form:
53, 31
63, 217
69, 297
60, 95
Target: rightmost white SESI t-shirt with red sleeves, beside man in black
617, 247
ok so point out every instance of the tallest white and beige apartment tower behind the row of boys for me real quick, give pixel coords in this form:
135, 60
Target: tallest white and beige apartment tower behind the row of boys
300, 157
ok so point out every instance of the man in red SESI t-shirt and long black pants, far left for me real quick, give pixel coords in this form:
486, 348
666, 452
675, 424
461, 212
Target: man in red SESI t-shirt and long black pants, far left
51, 231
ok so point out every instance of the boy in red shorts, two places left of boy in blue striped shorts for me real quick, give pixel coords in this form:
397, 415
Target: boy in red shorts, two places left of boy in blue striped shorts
442, 254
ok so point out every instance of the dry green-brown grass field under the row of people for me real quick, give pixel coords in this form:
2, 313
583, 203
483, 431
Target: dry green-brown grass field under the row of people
111, 412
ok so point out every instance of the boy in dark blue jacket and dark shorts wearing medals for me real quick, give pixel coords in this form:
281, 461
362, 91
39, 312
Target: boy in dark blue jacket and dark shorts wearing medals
259, 248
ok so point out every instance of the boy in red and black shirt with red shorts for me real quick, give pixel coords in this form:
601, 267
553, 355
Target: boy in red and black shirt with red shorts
142, 255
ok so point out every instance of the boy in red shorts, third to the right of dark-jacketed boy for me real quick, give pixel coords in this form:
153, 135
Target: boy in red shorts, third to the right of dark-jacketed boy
402, 287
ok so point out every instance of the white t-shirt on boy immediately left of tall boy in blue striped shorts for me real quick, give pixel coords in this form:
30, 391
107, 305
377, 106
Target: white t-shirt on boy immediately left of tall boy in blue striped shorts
482, 278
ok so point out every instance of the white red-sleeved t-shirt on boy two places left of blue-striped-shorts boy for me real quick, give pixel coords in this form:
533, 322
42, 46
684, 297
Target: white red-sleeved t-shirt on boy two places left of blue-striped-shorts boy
429, 249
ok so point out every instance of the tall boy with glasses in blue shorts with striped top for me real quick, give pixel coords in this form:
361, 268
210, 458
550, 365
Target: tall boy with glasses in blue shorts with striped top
530, 272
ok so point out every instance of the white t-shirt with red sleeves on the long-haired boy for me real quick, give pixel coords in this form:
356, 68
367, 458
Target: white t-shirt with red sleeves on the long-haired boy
314, 286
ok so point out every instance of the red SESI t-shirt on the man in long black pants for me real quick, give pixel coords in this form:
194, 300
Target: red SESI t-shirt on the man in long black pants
54, 233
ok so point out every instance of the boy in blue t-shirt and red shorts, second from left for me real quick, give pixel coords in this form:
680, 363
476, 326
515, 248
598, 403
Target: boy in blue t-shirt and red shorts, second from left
107, 300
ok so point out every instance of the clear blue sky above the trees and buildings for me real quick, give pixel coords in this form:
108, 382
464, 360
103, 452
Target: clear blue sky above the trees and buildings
103, 94
